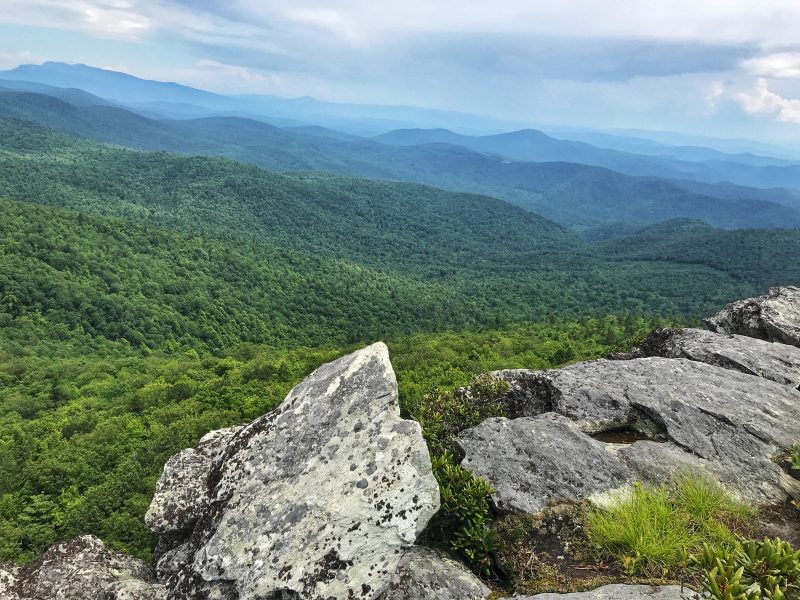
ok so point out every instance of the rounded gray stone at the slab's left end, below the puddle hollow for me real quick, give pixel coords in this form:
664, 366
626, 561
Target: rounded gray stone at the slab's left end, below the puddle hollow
531, 461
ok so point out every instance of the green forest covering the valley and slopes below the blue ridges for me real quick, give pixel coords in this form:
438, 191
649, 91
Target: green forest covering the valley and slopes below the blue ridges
147, 298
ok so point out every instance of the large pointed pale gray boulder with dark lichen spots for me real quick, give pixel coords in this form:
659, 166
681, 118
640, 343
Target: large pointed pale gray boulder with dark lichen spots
319, 498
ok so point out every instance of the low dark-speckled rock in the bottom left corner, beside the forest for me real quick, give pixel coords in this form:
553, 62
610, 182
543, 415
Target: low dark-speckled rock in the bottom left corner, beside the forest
83, 569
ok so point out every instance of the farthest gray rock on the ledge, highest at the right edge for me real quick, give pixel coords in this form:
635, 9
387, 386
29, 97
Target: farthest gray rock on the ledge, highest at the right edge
774, 317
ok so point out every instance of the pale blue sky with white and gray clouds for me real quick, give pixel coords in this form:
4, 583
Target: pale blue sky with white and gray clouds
729, 68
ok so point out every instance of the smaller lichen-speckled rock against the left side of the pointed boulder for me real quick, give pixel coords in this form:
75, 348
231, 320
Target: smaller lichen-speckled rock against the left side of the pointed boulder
182, 492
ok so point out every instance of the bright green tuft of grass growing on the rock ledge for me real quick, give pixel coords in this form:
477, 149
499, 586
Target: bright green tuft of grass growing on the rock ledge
652, 531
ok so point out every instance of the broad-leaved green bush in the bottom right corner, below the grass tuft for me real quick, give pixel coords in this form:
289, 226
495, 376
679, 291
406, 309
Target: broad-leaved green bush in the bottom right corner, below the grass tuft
751, 570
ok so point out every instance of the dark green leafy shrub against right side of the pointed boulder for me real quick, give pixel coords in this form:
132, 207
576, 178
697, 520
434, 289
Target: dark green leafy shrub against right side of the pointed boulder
463, 519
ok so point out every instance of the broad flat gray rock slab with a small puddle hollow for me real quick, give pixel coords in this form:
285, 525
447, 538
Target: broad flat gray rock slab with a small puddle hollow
696, 416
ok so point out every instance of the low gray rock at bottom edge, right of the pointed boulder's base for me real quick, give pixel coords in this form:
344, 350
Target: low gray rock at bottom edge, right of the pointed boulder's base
424, 574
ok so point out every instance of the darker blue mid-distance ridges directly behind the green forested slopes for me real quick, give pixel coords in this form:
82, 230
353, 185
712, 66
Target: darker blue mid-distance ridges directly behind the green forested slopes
573, 195
